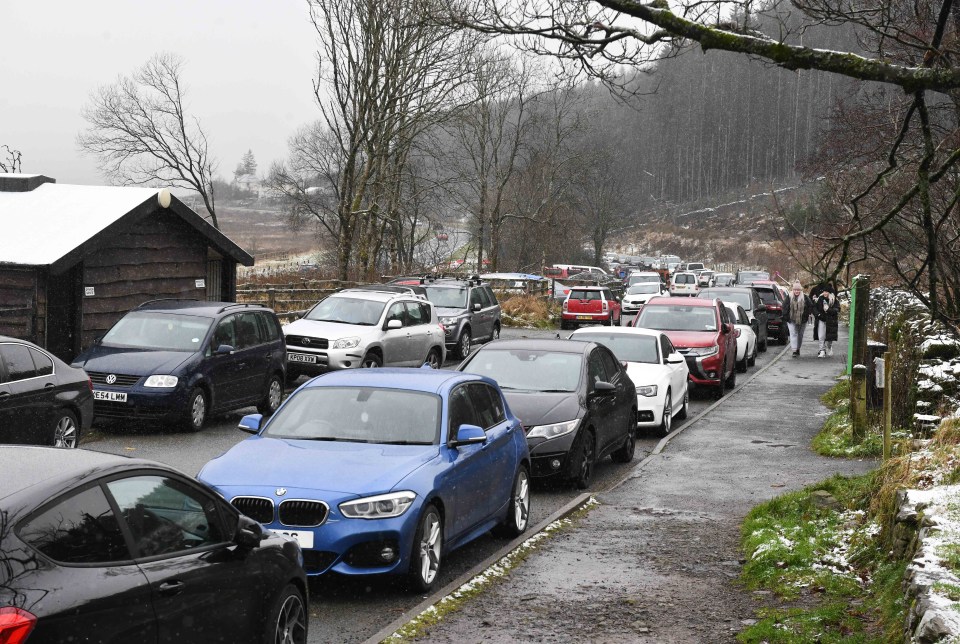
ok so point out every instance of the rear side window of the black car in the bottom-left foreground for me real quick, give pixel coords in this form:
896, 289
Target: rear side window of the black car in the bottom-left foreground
81, 528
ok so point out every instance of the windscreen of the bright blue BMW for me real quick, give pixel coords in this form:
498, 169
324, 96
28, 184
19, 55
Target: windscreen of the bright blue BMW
359, 415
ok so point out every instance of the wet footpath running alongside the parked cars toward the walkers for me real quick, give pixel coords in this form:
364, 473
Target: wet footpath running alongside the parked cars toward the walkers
658, 559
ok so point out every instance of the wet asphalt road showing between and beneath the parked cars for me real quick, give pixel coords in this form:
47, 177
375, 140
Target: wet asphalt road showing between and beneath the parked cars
350, 610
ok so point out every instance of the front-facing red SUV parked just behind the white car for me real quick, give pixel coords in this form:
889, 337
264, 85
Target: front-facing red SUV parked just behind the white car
702, 330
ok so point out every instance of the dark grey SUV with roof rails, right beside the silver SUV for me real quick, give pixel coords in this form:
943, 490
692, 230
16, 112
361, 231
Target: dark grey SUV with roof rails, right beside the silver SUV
468, 311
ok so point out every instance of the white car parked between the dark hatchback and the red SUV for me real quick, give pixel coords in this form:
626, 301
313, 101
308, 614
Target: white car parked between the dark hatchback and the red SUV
659, 372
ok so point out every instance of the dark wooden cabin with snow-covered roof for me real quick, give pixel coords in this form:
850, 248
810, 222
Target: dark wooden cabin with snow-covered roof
74, 259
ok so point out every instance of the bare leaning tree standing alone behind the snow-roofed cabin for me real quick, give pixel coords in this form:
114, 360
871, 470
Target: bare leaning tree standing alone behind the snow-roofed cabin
141, 134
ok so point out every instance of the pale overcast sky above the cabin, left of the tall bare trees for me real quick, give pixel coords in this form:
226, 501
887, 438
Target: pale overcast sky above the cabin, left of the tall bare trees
248, 67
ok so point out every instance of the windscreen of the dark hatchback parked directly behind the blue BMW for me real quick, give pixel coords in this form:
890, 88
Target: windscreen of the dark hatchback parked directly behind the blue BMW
528, 370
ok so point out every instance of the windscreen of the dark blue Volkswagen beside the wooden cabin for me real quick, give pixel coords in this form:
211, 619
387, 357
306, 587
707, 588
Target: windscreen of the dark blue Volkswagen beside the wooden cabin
158, 331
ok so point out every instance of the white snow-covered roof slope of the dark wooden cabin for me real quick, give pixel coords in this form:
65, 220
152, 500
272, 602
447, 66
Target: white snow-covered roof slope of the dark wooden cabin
42, 225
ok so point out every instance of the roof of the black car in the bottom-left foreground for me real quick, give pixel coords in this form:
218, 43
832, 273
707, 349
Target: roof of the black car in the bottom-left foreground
24, 466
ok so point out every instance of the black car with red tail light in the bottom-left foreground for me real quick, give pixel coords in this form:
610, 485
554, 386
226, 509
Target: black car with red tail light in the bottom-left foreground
103, 548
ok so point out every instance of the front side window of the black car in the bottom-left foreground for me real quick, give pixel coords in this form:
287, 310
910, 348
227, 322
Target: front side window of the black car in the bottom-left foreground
165, 515
